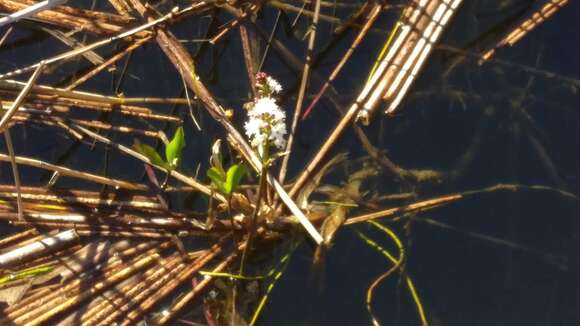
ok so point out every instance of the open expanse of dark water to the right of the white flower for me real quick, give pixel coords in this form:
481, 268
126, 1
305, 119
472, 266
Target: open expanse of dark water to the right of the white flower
530, 279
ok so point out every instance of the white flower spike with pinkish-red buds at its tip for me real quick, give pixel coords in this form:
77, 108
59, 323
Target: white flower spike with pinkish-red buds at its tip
266, 123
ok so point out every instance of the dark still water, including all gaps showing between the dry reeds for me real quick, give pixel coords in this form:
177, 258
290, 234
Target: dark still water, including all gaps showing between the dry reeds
501, 258
